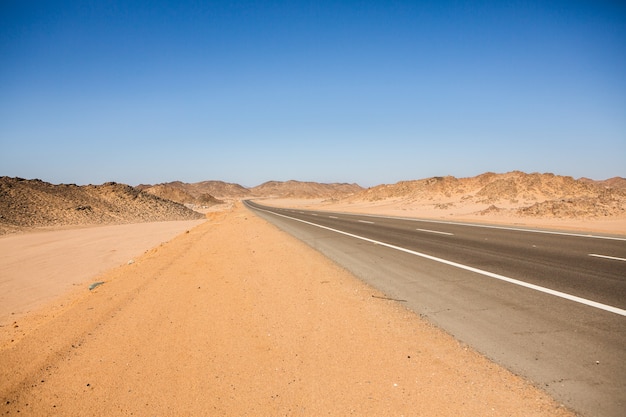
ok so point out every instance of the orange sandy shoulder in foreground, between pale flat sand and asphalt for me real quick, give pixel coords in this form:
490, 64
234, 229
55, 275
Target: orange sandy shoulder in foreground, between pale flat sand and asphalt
237, 318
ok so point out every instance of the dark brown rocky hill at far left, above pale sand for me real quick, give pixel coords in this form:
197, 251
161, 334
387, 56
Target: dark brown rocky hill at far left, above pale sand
26, 204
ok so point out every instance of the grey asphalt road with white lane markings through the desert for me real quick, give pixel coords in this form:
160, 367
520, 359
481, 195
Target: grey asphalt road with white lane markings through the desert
550, 306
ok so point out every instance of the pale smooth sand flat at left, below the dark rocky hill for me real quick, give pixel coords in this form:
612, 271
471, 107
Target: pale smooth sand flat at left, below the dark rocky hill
37, 267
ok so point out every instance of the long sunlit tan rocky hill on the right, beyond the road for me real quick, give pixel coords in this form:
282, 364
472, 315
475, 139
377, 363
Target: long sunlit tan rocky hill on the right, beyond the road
537, 195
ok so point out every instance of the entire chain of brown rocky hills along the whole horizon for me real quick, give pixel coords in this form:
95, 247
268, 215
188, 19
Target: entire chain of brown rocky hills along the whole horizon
27, 204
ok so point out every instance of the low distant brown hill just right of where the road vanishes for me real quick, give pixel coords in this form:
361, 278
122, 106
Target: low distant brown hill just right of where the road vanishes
298, 189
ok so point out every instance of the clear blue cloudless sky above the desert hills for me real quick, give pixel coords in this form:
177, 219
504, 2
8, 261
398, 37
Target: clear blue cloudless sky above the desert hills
355, 91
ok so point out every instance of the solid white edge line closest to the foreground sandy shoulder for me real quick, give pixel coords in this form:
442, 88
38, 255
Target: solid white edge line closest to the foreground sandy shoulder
539, 288
